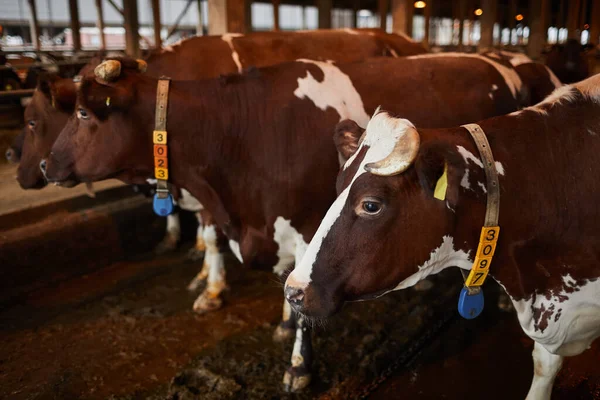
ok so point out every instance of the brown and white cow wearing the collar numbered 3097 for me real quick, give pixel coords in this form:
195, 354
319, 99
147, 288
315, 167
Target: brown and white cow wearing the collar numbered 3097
386, 230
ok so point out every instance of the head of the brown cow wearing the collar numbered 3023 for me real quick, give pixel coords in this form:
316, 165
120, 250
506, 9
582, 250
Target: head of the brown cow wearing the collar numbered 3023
109, 135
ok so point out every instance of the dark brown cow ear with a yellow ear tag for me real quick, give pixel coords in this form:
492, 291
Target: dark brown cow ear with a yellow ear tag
440, 171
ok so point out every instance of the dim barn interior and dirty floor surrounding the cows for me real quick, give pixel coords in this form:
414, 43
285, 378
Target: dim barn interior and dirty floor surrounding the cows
97, 301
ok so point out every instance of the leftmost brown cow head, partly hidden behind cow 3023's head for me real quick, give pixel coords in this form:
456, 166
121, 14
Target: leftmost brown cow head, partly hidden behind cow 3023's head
45, 116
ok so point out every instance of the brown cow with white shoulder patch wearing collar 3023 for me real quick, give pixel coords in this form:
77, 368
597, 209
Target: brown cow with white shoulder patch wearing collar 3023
255, 149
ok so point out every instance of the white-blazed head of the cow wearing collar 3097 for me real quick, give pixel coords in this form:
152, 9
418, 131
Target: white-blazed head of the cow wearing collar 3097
386, 222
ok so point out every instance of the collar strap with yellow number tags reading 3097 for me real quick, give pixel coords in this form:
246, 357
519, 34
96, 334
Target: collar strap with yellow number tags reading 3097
491, 230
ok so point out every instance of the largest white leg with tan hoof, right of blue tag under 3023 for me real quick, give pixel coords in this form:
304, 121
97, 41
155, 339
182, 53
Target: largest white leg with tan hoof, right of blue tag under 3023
210, 299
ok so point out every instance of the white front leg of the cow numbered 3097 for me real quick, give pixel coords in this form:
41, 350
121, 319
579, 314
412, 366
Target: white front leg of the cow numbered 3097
545, 367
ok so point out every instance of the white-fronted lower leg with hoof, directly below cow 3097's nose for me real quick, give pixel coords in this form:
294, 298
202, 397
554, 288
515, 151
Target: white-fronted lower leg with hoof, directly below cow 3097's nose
297, 376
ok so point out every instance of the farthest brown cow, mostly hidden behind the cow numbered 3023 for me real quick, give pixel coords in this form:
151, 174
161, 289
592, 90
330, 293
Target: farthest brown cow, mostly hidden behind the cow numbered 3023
198, 58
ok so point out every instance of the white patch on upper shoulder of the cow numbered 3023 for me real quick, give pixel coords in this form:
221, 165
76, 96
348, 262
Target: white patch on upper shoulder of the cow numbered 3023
335, 91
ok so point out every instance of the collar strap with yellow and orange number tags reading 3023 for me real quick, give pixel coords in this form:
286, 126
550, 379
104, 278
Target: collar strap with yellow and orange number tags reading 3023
161, 161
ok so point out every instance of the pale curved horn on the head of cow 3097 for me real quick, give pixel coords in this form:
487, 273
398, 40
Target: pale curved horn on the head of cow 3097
404, 153
